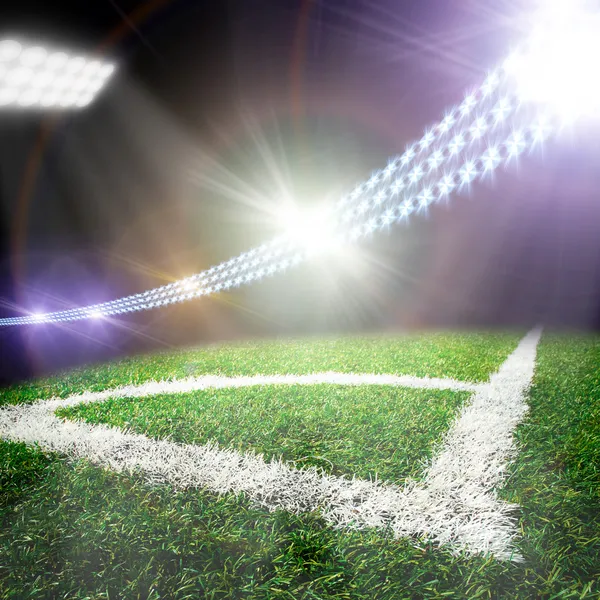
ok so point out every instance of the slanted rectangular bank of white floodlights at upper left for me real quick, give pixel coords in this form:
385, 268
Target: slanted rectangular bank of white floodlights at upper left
34, 77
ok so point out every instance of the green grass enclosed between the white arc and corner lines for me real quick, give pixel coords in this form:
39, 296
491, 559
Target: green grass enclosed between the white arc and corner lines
368, 431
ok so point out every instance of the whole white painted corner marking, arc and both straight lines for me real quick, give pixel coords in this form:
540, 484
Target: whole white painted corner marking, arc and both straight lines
455, 504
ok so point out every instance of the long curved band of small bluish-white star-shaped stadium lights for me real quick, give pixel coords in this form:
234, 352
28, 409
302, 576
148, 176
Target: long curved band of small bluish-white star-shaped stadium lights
488, 129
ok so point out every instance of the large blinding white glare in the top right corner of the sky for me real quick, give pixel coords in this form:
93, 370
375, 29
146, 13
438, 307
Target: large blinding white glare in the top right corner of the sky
558, 65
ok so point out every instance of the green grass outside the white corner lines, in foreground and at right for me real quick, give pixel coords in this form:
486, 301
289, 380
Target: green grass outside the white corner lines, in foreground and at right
78, 531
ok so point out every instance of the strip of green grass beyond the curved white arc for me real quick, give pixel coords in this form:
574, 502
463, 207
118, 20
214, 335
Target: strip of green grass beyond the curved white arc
463, 356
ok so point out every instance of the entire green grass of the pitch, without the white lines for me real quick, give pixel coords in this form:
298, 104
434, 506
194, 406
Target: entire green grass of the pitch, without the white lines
80, 531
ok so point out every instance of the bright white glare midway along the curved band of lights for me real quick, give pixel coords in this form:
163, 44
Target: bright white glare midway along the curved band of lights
311, 230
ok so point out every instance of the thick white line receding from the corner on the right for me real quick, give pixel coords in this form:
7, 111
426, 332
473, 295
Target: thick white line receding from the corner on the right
462, 480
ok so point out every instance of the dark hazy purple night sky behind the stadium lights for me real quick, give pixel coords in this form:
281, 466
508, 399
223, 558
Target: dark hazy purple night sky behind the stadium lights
217, 107
